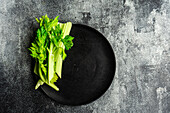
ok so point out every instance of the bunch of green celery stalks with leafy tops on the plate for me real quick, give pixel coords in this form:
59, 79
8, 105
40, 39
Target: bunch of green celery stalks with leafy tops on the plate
48, 49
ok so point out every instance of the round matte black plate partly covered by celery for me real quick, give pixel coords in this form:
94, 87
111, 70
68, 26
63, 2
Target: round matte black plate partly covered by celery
88, 69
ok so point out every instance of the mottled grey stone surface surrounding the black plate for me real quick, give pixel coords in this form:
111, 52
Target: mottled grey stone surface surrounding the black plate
138, 30
